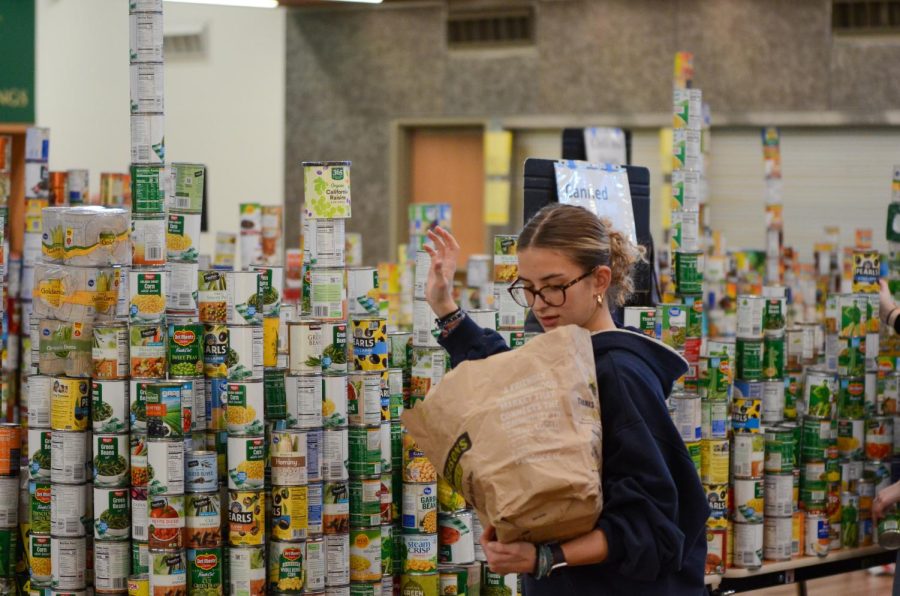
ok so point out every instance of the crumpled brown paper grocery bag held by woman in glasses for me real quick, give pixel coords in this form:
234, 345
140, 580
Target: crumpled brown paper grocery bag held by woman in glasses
518, 435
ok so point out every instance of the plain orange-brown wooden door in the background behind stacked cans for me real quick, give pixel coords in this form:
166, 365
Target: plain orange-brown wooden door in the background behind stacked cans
446, 165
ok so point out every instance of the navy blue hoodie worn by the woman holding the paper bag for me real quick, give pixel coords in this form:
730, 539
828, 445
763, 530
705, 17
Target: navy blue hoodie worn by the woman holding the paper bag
654, 508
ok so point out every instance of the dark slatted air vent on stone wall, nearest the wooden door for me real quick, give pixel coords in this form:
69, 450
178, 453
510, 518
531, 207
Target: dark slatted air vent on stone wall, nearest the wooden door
490, 29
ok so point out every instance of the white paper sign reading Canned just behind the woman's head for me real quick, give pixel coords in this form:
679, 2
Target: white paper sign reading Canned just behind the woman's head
602, 189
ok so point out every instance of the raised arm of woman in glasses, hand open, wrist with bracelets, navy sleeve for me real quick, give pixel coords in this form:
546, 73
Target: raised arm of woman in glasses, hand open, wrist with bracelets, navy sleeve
463, 338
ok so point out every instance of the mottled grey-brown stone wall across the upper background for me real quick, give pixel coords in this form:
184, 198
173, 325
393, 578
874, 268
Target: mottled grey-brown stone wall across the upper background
351, 72
